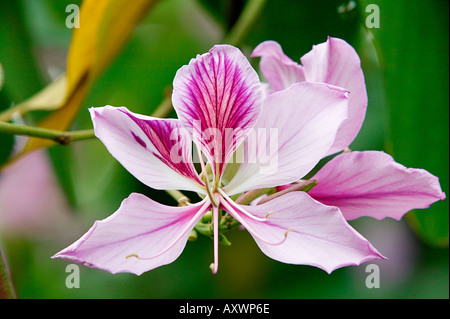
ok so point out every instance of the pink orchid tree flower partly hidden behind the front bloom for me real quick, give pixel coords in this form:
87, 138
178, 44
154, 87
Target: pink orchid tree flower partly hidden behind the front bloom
368, 183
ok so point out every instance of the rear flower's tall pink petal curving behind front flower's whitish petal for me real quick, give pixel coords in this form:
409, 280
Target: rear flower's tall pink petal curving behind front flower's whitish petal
336, 62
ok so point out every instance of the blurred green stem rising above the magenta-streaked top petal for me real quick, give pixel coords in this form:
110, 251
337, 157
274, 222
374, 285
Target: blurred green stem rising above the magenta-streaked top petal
246, 20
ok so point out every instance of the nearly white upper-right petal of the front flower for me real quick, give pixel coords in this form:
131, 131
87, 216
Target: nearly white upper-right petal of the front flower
295, 130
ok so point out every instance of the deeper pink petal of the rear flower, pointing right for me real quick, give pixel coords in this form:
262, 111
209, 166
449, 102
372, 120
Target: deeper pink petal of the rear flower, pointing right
372, 184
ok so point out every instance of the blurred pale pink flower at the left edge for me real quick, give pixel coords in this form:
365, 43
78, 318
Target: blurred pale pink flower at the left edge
31, 201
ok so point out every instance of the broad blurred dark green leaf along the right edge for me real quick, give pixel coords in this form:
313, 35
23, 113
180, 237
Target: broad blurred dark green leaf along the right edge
413, 51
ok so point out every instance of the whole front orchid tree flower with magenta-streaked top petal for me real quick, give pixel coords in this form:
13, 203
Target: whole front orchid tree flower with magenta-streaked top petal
224, 118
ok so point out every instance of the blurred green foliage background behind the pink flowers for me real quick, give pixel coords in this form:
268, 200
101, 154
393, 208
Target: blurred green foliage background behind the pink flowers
405, 62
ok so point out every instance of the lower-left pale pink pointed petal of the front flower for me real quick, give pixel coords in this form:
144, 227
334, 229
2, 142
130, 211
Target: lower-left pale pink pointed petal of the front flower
141, 235
